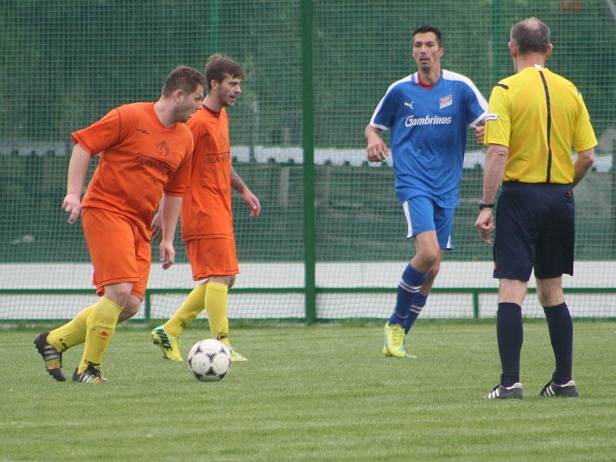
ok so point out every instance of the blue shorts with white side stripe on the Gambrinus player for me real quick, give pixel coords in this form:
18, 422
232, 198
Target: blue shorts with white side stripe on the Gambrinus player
422, 214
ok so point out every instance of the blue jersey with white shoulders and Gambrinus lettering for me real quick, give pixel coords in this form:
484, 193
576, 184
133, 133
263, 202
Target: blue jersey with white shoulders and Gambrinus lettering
428, 134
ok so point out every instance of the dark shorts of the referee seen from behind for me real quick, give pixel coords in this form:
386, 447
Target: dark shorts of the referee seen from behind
535, 228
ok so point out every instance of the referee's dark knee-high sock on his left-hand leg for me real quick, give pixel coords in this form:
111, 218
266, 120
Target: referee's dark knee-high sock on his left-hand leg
509, 333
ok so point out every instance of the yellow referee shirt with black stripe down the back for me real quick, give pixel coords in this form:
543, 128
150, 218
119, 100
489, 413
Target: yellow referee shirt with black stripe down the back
540, 116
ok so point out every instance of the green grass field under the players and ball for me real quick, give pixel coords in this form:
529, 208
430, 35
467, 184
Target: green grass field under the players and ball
322, 393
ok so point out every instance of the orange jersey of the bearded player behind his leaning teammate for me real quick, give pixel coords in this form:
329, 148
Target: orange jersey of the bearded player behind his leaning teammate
206, 207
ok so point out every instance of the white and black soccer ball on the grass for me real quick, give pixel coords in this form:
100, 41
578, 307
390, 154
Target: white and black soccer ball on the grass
209, 360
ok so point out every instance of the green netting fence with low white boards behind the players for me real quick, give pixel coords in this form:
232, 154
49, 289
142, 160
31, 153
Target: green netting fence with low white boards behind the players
330, 243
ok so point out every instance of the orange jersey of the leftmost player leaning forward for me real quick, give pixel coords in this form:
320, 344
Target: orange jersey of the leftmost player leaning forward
139, 159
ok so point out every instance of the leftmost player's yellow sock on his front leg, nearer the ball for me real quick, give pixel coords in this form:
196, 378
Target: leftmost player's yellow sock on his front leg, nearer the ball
100, 327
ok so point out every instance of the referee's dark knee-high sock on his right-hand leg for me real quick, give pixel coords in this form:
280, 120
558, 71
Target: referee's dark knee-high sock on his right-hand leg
561, 335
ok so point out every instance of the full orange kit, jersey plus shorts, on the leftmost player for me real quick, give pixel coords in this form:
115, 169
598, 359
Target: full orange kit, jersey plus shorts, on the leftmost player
139, 159
